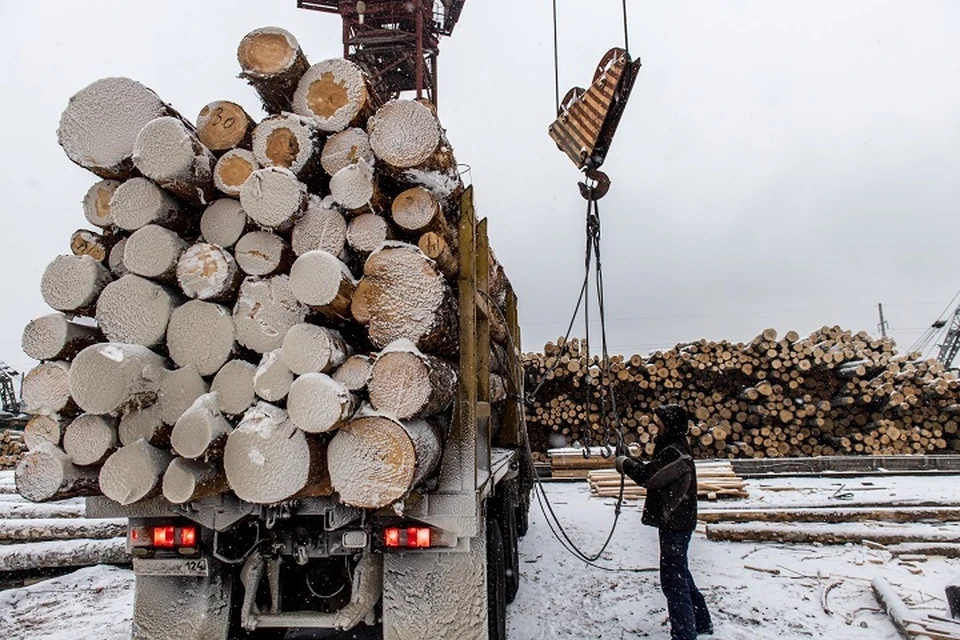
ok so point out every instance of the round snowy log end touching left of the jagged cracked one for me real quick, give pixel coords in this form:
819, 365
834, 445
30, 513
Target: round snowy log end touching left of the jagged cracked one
201, 334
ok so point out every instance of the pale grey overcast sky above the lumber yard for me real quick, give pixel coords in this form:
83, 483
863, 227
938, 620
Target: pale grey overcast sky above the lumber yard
780, 164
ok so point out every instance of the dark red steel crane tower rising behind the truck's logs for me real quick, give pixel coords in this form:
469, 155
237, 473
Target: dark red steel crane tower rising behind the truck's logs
395, 41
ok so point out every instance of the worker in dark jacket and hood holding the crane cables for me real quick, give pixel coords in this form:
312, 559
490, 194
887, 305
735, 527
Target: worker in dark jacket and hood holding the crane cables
671, 506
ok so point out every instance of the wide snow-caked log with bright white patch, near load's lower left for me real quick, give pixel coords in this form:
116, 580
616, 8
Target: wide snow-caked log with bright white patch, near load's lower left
110, 376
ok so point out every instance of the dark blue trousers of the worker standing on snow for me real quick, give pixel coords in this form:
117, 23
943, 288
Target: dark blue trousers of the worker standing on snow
685, 604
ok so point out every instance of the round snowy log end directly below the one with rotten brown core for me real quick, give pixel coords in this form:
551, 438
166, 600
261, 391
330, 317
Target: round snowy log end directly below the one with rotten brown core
273, 197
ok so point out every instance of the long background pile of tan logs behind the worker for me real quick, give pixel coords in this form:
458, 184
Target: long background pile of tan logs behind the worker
830, 393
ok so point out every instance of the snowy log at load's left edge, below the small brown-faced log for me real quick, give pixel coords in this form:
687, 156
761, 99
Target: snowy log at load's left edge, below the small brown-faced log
73, 283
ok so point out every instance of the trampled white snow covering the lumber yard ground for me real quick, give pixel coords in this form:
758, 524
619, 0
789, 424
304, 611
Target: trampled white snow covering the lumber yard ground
756, 591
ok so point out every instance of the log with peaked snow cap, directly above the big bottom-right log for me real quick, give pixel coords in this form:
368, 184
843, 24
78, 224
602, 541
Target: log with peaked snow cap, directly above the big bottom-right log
407, 384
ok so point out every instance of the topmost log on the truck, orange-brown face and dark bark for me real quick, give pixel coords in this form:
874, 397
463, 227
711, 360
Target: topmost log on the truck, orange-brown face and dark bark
272, 62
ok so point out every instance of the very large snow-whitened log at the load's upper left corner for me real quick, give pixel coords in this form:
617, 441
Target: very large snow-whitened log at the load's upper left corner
100, 125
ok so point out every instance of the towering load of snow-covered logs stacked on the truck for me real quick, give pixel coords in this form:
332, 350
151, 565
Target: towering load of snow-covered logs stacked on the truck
266, 308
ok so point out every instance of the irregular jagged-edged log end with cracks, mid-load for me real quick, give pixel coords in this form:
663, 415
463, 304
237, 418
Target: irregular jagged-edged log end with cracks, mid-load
265, 310
